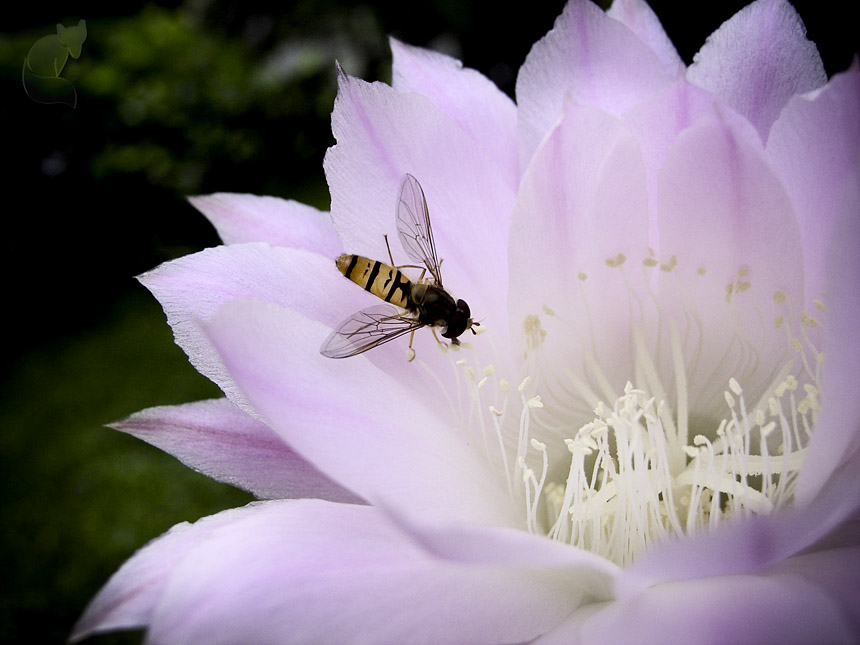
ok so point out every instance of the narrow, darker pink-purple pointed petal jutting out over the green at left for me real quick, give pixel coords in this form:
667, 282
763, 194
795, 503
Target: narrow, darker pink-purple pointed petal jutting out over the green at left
219, 440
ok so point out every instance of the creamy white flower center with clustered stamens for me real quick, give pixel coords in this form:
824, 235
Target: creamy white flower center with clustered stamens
642, 467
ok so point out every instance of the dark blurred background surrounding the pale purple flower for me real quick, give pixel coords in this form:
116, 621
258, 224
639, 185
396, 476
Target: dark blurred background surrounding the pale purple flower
177, 99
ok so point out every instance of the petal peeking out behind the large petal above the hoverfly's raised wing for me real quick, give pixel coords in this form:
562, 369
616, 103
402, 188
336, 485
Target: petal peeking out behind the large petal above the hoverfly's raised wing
466, 97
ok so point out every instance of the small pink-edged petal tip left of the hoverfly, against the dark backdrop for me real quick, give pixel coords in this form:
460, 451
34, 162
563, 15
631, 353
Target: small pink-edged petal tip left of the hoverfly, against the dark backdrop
252, 218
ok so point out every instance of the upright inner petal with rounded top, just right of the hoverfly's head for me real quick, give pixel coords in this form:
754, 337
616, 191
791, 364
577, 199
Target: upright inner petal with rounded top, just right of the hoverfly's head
581, 203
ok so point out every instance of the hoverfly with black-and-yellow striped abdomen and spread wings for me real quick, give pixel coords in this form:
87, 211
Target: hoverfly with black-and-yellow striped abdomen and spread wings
412, 305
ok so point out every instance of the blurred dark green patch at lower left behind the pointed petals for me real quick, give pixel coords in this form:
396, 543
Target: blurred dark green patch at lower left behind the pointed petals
78, 498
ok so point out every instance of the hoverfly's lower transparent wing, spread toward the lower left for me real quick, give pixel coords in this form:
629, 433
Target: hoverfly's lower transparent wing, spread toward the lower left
366, 329
